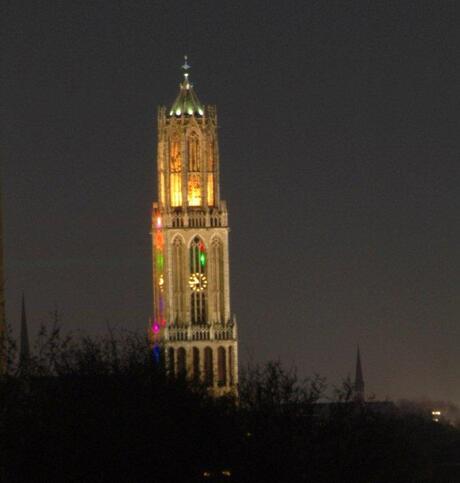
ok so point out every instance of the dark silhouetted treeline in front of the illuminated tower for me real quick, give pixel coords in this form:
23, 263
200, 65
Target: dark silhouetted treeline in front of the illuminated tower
100, 410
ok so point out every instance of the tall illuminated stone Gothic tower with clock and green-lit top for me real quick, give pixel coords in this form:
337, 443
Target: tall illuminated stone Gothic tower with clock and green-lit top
192, 319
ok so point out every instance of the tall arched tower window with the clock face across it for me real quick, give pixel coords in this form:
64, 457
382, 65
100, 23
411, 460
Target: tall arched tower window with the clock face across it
198, 281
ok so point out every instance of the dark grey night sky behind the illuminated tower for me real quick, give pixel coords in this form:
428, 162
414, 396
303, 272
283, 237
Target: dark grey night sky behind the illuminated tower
339, 141
